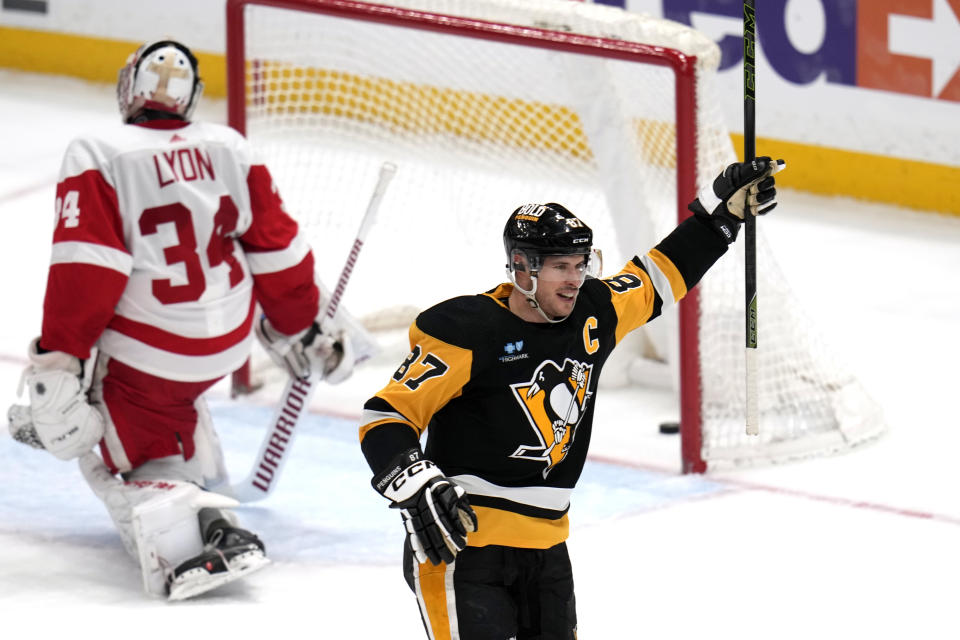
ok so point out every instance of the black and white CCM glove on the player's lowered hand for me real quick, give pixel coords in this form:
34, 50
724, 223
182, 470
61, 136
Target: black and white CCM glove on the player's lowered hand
436, 512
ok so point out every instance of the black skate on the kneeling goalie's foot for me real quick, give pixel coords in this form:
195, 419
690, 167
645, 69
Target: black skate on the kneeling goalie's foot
229, 553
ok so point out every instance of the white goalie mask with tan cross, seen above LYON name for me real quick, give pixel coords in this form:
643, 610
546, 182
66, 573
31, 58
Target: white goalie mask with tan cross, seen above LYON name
159, 76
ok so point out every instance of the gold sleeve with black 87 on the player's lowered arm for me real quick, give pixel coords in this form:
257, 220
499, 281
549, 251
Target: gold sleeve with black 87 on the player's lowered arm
434, 372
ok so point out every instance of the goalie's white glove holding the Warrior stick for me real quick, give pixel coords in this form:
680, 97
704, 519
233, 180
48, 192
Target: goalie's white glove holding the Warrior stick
323, 347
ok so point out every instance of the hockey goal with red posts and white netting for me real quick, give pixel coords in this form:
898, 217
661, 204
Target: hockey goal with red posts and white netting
488, 104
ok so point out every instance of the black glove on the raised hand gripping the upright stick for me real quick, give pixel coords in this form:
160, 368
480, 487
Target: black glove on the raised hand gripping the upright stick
742, 186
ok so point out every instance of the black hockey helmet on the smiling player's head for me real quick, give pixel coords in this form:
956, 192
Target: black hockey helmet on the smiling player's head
534, 231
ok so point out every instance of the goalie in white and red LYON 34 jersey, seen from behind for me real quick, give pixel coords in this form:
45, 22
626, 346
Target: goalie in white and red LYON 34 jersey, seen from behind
168, 233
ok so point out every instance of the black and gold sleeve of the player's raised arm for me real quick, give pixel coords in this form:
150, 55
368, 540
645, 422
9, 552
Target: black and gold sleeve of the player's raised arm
662, 276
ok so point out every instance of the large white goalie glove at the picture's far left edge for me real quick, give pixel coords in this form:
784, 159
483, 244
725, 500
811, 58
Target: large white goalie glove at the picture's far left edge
59, 418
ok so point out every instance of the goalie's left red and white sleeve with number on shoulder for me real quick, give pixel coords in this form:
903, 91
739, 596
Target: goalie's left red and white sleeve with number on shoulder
90, 262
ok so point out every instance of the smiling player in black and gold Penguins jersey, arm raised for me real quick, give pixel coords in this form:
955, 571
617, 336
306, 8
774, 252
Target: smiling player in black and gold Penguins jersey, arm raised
503, 383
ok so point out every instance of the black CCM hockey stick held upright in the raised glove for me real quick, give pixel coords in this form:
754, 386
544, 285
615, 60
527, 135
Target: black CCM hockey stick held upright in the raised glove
750, 222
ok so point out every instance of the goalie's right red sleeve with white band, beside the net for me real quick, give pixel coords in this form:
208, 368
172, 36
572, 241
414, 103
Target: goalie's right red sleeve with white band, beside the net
280, 259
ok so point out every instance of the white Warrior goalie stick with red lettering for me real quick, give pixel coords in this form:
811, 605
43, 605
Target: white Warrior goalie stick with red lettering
295, 401
